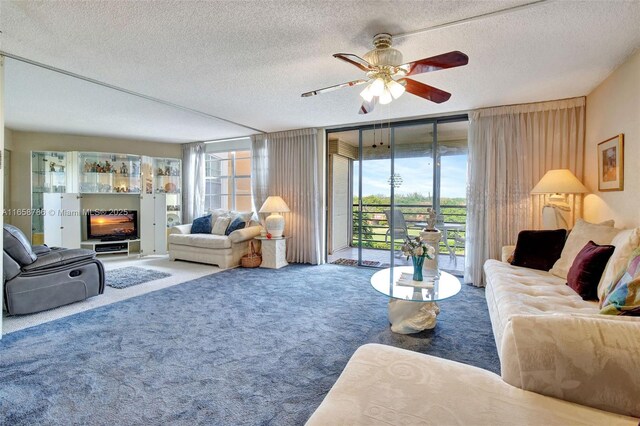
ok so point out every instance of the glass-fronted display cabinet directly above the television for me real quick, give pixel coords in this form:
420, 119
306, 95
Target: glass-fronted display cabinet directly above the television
109, 173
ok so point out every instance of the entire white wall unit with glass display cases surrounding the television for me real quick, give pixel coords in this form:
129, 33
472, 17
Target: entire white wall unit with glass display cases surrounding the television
58, 177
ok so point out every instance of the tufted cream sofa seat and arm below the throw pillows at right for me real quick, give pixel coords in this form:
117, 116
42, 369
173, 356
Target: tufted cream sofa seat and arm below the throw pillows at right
552, 342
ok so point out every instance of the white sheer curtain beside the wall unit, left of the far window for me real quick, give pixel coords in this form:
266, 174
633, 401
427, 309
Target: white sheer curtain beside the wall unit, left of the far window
192, 181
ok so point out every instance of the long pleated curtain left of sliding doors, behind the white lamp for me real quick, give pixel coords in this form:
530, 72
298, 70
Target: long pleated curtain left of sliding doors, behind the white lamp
286, 164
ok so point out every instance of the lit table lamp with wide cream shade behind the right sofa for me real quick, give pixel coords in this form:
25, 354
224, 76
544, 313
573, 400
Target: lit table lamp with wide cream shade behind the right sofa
558, 183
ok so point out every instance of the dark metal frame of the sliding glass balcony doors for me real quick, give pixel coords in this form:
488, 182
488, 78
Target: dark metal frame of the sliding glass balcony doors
392, 125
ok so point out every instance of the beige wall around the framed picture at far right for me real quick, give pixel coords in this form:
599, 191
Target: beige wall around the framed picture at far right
613, 107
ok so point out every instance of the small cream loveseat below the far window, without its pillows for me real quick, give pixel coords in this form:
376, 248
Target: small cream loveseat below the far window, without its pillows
221, 250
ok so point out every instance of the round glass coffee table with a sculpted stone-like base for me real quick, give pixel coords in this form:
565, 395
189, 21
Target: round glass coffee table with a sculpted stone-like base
411, 308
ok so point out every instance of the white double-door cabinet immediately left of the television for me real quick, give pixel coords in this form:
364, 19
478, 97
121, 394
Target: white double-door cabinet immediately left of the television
61, 214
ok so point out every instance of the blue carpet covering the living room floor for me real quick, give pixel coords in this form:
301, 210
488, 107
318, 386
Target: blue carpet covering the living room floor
245, 346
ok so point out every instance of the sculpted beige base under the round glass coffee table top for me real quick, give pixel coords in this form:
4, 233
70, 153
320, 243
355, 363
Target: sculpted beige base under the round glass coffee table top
412, 317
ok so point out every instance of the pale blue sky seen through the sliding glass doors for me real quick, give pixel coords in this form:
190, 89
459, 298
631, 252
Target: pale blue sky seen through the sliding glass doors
417, 176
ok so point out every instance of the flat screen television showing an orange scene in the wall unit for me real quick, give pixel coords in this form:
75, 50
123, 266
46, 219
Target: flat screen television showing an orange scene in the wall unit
112, 224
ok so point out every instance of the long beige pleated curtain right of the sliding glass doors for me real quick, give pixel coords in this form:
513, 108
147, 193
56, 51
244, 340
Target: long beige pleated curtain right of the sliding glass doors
510, 149
